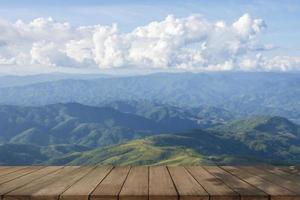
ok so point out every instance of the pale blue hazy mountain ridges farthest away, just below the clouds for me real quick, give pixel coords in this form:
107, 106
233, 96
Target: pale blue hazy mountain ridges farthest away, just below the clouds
237, 92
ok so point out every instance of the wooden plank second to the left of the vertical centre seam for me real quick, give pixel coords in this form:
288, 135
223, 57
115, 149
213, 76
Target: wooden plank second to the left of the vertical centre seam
111, 186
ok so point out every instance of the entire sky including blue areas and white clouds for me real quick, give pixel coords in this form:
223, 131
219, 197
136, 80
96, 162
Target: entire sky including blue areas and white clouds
191, 35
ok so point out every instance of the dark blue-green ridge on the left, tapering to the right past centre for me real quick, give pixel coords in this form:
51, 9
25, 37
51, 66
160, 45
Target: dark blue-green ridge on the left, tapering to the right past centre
74, 123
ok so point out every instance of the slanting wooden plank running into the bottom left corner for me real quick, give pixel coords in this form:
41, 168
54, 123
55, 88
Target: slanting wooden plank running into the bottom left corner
19, 182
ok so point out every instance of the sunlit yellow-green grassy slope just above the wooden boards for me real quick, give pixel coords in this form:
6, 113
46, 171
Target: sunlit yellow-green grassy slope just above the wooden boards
136, 152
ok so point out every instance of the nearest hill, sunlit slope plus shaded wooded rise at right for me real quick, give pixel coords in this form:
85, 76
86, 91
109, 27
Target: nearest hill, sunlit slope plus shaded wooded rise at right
258, 140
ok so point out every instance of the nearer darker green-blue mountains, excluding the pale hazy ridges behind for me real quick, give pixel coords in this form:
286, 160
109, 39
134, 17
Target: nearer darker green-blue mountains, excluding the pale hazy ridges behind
124, 133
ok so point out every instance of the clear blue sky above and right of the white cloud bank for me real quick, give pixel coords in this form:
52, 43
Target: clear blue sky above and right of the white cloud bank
281, 16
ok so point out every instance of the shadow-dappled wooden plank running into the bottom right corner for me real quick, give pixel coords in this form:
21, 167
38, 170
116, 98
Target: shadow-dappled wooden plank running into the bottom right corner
275, 191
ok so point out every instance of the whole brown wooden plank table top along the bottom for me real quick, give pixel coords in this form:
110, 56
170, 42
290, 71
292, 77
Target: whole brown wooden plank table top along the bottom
153, 183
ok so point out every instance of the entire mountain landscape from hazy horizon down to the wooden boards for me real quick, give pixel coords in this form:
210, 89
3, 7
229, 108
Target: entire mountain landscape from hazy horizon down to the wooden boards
163, 118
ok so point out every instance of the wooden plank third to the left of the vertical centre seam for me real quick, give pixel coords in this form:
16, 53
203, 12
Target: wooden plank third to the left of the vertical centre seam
84, 187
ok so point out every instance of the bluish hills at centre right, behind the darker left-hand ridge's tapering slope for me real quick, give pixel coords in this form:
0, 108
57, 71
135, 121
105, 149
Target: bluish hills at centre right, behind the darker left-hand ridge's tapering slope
175, 117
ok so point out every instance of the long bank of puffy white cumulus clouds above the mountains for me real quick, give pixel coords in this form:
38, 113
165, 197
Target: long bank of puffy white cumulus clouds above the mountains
190, 43
